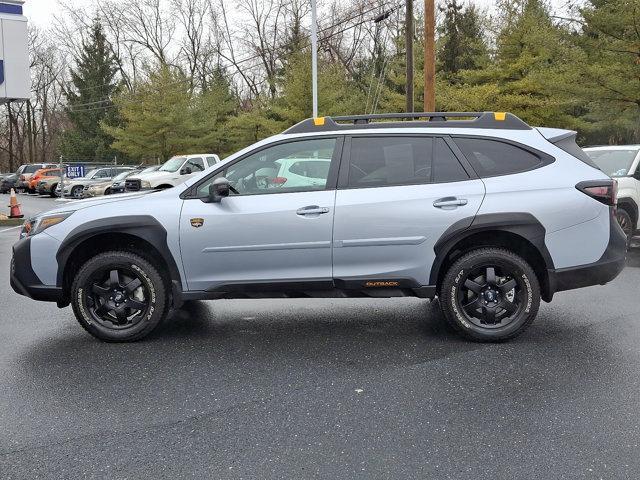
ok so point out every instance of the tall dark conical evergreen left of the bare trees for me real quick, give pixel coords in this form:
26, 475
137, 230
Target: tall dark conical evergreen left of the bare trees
89, 102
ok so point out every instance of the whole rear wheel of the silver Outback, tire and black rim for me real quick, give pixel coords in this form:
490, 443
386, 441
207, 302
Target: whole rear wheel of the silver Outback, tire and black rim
476, 299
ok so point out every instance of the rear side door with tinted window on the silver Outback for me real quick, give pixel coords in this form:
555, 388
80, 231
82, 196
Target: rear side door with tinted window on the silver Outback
397, 195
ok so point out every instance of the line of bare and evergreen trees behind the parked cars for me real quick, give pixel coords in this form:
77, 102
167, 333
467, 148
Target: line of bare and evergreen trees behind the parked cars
142, 81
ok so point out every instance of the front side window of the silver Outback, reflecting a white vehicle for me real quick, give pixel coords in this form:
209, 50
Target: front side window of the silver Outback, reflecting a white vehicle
269, 170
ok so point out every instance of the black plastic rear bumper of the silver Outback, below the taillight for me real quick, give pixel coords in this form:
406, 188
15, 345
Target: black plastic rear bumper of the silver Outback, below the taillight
607, 268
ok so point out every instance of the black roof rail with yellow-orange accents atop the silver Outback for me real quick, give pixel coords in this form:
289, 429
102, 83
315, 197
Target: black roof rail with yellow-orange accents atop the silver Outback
493, 120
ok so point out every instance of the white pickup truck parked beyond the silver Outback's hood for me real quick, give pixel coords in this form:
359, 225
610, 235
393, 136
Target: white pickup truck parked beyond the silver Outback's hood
175, 171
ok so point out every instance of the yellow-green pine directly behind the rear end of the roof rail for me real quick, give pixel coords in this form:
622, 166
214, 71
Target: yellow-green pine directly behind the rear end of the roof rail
522, 77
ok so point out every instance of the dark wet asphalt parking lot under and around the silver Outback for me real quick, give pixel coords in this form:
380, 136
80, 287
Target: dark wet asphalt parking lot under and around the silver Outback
344, 388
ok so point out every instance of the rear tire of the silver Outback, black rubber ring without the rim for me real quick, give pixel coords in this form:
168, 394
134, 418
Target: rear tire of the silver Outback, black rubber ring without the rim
454, 281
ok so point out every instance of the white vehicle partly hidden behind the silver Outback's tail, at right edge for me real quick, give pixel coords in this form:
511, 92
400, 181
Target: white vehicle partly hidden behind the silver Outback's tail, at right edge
622, 162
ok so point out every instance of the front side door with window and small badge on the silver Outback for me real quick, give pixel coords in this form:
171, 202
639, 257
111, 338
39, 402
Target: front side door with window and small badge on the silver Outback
273, 230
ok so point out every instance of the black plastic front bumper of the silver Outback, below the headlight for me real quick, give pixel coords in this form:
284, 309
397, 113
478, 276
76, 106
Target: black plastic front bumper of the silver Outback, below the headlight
23, 279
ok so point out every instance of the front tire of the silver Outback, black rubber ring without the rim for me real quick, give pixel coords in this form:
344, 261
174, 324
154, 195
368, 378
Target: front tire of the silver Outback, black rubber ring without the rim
151, 280
